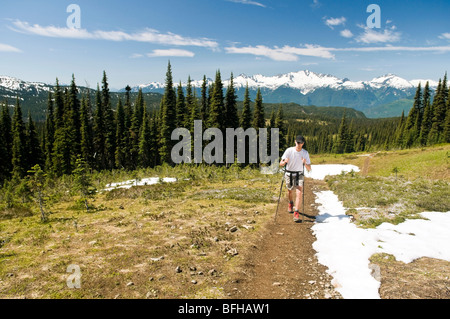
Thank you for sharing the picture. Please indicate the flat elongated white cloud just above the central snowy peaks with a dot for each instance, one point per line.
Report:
(286, 53)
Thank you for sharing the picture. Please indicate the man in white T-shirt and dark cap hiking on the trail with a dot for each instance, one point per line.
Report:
(295, 159)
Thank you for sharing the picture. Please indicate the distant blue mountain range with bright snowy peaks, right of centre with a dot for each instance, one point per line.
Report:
(383, 96)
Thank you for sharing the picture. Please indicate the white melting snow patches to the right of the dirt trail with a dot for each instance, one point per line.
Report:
(345, 249)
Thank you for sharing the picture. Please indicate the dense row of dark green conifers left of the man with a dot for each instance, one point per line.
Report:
(125, 137)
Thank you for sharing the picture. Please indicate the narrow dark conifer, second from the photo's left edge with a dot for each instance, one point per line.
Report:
(19, 156)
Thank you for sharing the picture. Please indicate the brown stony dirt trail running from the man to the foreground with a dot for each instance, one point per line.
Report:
(283, 265)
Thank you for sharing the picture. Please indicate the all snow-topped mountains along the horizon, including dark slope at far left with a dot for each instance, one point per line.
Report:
(384, 96)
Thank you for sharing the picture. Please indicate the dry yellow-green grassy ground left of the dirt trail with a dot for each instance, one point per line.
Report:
(132, 244)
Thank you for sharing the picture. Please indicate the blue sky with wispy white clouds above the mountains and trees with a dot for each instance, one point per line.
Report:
(133, 40)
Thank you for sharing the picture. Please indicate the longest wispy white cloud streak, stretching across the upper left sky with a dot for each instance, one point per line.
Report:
(147, 35)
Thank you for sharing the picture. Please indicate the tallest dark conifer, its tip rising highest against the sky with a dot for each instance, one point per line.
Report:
(168, 118)
